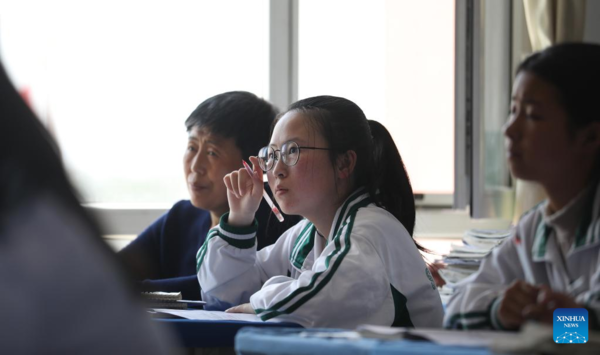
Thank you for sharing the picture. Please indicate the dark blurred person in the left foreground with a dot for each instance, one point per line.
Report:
(62, 291)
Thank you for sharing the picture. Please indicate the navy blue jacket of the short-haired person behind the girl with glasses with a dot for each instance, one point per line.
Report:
(163, 257)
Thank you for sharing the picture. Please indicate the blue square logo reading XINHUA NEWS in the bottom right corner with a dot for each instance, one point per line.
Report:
(570, 325)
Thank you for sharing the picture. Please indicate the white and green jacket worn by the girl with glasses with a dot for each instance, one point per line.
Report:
(367, 271)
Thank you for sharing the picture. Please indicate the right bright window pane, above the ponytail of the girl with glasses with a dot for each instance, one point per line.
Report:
(395, 59)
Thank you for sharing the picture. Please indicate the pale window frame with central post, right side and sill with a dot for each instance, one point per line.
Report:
(283, 90)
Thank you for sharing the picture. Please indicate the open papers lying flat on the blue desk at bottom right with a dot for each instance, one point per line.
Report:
(480, 338)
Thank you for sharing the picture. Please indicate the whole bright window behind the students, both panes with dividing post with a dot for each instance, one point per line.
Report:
(115, 80)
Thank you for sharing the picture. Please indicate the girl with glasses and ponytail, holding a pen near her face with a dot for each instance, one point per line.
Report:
(352, 260)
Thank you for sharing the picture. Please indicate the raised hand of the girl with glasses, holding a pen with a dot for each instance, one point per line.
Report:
(245, 189)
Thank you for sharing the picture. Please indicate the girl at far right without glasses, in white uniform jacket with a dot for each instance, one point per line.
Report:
(553, 259)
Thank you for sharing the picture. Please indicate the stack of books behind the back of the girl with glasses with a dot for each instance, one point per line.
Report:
(464, 260)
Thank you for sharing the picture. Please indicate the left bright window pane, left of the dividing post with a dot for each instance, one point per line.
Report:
(115, 81)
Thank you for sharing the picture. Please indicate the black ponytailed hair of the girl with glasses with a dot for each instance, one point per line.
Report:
(379, 167)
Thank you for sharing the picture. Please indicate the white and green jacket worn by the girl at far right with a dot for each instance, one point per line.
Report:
(560, 250)
